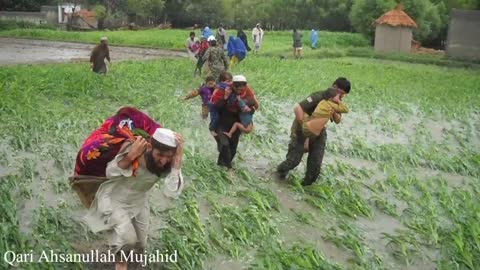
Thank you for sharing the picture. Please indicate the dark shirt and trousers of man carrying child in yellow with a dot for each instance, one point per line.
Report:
(316, 147)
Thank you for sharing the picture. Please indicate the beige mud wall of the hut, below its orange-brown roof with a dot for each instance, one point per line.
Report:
(392, 39)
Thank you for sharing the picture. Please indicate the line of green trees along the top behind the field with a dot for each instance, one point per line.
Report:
(431, 16)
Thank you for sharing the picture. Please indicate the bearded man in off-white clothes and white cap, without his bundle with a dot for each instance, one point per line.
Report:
(120, 205)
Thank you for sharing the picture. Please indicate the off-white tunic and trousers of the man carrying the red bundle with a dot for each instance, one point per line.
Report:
(121, 203)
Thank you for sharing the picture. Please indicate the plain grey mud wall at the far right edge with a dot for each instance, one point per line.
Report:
(463, 39)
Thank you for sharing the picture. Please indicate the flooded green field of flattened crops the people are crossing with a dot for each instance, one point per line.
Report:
(399, 188)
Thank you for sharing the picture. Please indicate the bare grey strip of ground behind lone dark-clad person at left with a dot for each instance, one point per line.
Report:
(28, 51)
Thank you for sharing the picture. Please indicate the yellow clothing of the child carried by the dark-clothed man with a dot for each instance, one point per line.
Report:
(313, 125)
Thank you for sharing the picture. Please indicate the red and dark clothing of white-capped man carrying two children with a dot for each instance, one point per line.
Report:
(229, 113)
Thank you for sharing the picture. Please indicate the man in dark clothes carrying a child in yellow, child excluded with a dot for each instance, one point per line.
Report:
(316, 146)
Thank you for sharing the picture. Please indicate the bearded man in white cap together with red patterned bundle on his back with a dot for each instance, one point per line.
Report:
(115, 171)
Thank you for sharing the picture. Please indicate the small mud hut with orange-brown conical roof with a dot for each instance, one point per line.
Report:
(393, 31)
